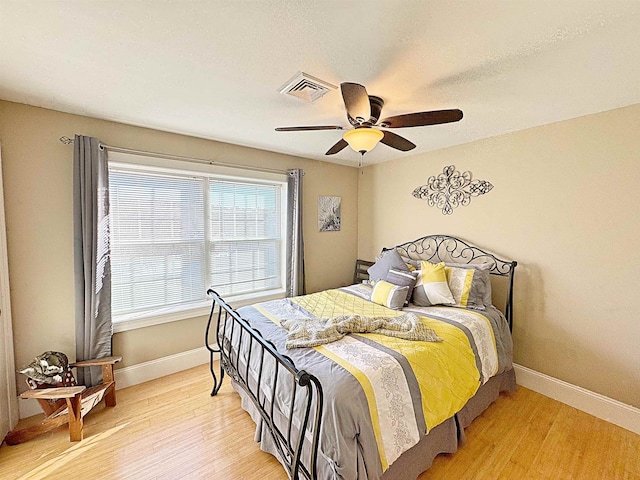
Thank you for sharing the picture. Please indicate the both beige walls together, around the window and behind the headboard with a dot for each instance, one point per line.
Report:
(564, 195)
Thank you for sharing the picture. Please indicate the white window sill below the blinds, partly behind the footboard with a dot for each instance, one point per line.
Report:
(149, 320)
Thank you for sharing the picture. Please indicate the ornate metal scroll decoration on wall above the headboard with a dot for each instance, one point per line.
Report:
(451, 189)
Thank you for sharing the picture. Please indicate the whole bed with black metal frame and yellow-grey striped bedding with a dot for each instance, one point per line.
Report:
(377, 405)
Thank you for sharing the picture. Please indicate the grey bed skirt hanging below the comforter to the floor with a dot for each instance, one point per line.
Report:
(443, 438)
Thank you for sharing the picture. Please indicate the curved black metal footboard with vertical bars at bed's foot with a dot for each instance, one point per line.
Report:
(288, 400)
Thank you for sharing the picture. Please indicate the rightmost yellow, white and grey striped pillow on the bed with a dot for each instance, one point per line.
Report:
(468, 285)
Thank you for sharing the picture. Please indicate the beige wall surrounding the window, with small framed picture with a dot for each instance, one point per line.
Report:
(37, 172)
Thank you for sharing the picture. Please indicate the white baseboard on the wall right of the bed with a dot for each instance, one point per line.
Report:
(606, 408)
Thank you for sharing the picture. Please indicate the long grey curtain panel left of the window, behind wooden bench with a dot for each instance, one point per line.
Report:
(91, 255)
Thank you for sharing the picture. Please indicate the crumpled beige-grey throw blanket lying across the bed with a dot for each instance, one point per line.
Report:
(310, 332)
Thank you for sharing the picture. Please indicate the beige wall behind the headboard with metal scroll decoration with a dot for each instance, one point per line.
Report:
(566, 206)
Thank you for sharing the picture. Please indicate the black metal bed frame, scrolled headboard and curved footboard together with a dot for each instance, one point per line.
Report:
(296, 433)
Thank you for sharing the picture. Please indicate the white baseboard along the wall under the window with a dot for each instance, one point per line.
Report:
(142, 372)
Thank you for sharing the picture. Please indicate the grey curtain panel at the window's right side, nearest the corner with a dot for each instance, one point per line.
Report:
(295, 242)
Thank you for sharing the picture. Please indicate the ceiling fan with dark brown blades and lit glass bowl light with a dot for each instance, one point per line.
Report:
(363, 113)
